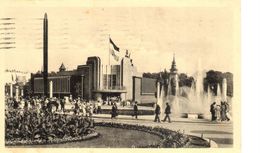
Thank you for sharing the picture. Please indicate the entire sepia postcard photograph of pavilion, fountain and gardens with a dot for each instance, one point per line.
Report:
(120, 77)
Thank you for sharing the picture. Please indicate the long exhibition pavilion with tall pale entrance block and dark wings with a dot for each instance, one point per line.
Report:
(94, 81)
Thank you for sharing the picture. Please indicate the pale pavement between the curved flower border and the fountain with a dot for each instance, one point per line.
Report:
(219, 132)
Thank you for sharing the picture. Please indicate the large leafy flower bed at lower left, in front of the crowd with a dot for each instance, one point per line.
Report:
(27, 127)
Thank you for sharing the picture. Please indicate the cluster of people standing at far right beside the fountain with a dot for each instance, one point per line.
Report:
(220, 112)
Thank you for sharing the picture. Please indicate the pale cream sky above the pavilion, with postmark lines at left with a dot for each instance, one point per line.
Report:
(151, 34)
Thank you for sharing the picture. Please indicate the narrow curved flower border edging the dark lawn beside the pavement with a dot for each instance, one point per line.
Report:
(170, 139)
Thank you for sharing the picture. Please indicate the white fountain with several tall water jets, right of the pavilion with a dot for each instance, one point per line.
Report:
(196, 102)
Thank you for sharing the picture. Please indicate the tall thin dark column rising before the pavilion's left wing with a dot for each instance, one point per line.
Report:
(45, 55)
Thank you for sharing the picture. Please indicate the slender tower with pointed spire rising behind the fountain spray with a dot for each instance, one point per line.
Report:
(173, 79)
